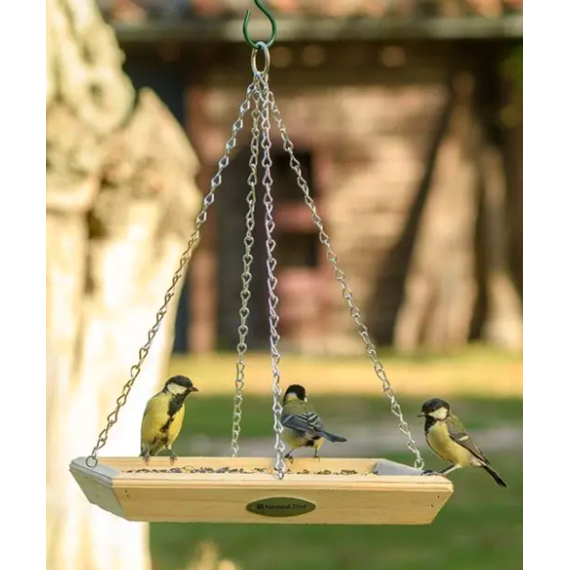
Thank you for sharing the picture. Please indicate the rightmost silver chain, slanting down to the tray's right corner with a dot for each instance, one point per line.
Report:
(347, 293)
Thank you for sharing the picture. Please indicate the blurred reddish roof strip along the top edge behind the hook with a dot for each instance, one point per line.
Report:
(204, 17)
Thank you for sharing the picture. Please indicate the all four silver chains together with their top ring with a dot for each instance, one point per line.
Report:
(264, 98)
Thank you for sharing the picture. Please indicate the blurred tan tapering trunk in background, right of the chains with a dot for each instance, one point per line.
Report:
(441, 287)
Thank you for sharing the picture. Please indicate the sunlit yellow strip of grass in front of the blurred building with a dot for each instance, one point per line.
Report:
(471, 372)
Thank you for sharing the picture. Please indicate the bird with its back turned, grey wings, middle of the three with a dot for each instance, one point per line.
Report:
(302, 425)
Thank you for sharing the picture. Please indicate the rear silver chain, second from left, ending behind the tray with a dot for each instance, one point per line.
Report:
(246, 278)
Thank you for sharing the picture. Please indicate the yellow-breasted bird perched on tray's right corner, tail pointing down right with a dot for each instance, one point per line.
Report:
(448, 438)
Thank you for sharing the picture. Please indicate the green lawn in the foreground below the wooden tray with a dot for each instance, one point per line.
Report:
(480, 529)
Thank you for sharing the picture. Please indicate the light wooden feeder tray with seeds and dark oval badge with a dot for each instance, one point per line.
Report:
(245, 490)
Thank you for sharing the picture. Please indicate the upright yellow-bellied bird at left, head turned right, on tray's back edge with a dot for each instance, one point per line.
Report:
(163, 417)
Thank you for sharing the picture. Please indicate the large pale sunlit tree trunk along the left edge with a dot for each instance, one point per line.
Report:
(120, 203)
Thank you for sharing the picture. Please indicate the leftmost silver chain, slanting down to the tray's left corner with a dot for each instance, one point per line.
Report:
(112, 418)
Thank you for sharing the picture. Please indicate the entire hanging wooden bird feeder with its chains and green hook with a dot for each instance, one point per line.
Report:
(258, 490)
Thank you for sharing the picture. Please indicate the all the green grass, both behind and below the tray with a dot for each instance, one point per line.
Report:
(480, 528)
